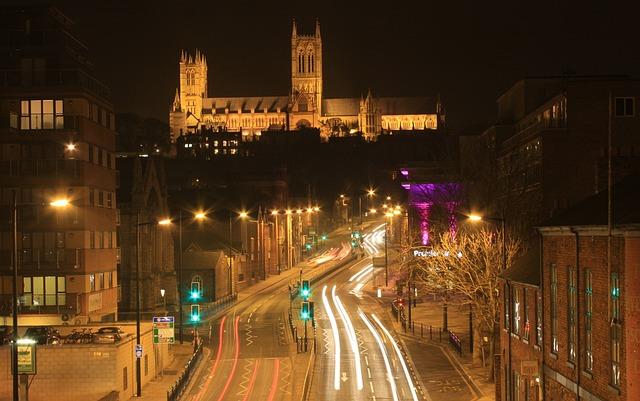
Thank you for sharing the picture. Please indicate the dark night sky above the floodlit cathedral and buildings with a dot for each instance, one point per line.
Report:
(468, 51)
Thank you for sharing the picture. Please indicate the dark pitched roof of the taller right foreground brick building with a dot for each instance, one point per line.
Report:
(593, 211)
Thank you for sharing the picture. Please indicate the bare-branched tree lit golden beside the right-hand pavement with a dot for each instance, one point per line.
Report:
(469, 264)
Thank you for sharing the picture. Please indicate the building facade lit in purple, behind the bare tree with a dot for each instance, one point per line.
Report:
(424, 197)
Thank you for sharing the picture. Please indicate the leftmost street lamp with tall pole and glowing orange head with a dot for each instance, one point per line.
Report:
(57, 203)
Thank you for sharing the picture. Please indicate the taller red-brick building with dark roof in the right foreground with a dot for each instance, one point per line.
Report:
(591, 342)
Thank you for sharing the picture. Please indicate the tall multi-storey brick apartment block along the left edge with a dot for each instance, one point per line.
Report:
(57, 140)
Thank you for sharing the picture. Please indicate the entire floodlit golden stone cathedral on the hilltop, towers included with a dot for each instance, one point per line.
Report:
(304, 106)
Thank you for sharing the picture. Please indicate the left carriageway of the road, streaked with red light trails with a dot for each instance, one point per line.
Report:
(252, 351)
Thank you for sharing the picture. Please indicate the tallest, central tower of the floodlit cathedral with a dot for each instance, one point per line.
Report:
(306, 77)
